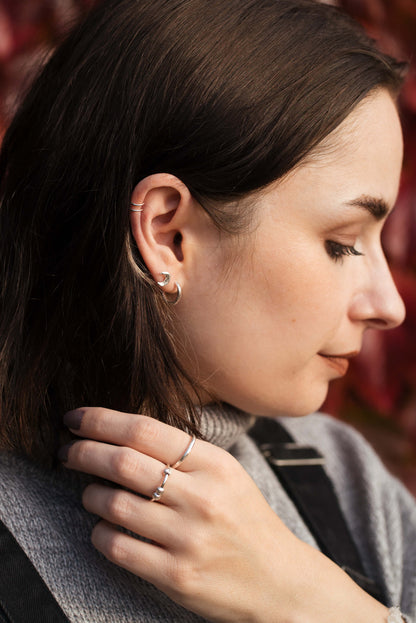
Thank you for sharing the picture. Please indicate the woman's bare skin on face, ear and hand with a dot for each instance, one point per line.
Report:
(257, 334)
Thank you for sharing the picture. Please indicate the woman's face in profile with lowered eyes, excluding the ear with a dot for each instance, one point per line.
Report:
(271, 329)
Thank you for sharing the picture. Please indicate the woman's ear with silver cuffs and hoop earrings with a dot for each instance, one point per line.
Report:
(166, 226)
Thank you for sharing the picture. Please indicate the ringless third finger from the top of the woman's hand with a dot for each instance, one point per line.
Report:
(123, 508)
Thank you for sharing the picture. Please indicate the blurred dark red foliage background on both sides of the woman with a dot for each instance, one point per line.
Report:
(379, 394)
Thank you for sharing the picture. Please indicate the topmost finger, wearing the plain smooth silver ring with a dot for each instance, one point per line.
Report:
(142, 433)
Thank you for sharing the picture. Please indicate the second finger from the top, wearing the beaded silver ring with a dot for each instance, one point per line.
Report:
(127, 467)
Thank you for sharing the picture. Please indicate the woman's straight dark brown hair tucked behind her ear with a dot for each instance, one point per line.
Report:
(228, 95)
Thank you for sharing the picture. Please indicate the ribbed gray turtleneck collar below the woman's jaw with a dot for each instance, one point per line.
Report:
(222, 424)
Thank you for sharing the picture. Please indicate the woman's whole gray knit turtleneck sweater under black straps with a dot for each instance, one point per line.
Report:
(44, 512)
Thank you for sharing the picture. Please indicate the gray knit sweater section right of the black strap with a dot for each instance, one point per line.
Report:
(380, 512)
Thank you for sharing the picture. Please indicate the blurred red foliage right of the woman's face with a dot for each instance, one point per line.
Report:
(379, 393)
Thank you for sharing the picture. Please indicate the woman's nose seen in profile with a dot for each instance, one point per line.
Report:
(378, 303)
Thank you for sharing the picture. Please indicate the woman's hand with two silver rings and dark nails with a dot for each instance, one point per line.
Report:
(217, 548)
